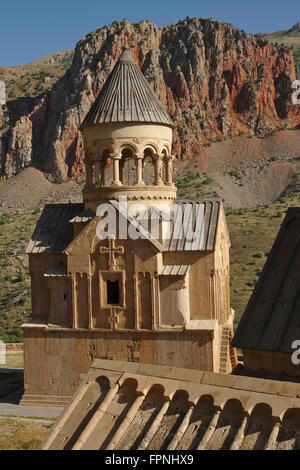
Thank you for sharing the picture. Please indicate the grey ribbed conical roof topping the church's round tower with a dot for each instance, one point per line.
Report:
(126, 97)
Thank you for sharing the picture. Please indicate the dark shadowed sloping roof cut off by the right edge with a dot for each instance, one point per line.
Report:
(271, 321)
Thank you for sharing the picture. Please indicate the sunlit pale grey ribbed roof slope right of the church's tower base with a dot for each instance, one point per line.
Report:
(195, 226)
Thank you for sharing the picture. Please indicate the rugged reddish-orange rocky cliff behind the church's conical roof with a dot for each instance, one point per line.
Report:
(214, 80)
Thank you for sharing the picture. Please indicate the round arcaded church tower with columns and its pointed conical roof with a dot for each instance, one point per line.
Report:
(127, 138)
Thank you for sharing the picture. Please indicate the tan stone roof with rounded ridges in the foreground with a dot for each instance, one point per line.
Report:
(122, 406)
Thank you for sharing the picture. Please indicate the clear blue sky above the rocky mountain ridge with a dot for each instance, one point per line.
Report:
(31, 29)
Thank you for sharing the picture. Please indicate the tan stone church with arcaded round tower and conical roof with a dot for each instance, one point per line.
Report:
(158, 298)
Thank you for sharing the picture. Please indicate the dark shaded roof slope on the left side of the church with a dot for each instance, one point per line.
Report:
(54, 232)
